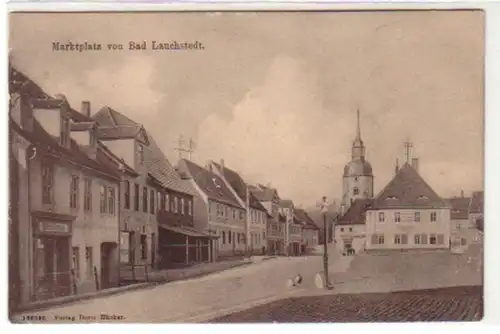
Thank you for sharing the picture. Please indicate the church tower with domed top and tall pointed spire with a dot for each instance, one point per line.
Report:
(358, 175)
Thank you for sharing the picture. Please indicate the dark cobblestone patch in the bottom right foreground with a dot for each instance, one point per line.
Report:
(447, 304)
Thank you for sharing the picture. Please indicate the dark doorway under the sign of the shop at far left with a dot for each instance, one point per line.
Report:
(52, 267)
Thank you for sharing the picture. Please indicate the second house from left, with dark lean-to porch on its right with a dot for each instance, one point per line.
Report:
(156, 224)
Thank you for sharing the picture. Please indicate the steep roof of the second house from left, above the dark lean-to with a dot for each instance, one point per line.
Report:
(114, 125)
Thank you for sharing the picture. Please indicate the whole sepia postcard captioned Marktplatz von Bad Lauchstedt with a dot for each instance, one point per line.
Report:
(239, 166)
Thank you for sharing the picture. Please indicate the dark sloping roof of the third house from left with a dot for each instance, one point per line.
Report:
(213, 186)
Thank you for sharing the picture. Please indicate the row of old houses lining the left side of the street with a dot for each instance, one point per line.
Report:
(92, 192)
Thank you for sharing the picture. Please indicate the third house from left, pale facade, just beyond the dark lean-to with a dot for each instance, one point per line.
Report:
(218, 211)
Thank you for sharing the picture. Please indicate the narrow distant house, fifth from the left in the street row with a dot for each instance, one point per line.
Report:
(276, 221)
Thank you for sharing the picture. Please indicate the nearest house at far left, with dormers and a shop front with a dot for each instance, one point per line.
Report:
(66, 220)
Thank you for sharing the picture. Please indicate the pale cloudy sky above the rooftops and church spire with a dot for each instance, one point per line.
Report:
(275, 94)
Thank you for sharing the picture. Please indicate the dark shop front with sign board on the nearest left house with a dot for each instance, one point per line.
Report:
(51, 260)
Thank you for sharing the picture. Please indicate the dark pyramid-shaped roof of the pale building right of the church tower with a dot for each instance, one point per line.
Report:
(408, 190)
